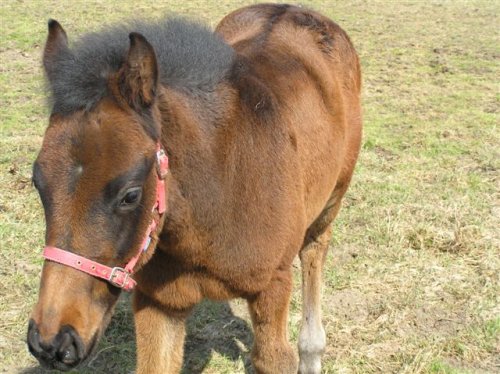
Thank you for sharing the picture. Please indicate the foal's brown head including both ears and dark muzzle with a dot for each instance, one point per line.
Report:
(98, 181)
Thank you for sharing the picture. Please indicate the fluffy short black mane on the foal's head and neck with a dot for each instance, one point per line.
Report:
(190, 56)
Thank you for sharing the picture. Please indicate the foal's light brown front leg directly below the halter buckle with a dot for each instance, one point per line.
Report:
(160, 337)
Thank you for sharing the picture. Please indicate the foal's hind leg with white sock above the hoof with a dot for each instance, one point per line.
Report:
(312, 337)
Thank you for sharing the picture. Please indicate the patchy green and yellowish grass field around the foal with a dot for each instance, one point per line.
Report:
(412, 280)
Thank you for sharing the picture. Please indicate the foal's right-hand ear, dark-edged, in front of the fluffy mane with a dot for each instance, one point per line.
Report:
(139, 75)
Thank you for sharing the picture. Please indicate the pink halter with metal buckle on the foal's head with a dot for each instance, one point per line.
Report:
(118, 276)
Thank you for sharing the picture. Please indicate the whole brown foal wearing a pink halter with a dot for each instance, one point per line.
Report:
(261, 122)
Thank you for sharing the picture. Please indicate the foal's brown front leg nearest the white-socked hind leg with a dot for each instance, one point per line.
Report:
(272, 353)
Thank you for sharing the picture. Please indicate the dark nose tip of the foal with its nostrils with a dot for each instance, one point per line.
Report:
(63, 352)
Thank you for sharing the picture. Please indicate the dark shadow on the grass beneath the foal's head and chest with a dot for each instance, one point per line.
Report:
(211, 328)
